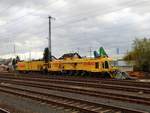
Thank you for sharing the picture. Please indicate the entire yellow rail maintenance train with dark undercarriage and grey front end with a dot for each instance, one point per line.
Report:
(73, 64)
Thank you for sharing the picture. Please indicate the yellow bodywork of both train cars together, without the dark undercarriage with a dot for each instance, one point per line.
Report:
(68, 64)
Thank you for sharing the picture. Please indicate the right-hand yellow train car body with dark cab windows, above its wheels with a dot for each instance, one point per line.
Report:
(87, 64)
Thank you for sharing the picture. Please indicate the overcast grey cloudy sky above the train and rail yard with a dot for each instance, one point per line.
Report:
(79, 24)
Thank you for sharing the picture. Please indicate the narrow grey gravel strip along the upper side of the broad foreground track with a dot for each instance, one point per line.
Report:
(89, 98)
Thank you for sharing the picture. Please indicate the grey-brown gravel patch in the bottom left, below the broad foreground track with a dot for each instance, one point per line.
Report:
(24, 105)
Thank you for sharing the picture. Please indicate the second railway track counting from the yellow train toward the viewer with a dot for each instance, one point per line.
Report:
(134, 88)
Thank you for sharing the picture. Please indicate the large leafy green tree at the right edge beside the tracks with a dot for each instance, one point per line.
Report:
(140, 54)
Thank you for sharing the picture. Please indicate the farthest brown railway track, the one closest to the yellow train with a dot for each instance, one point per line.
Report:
(81, 79)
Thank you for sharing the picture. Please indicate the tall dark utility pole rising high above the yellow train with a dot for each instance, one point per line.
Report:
(49, 42)
